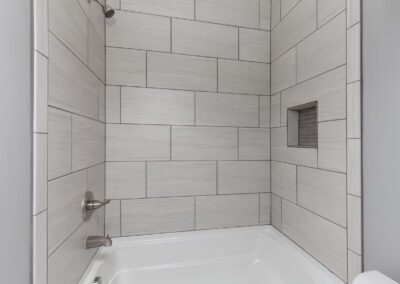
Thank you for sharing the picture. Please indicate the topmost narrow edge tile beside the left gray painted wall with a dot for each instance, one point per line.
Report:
(41, 26)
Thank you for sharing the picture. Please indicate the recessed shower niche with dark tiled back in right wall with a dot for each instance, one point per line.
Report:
(303, 126)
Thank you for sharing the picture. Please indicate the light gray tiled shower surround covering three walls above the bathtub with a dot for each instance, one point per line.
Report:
(189, 132)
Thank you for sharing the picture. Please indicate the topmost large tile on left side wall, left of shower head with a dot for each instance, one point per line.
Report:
(68, 22)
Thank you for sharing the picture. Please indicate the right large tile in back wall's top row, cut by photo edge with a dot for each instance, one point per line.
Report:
(231, 12)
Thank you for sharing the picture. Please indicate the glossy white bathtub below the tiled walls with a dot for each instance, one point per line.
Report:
(256, 255)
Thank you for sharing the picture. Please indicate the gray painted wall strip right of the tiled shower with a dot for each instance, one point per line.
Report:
(381, 59)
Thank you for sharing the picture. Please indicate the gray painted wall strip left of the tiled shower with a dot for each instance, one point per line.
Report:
(15, 142)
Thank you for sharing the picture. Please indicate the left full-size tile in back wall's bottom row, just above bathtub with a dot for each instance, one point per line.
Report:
(157, 215)
